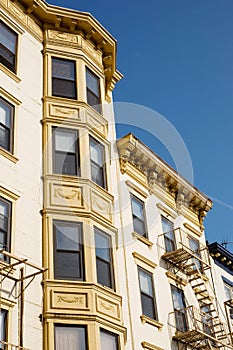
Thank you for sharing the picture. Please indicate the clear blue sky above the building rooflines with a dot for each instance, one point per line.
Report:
(177, 58)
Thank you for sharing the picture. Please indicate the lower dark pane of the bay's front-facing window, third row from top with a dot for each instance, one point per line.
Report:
(68, 265)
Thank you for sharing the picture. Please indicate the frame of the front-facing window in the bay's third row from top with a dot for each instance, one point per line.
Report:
(80, 252)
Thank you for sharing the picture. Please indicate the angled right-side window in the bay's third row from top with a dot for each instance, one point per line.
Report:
(104, 266)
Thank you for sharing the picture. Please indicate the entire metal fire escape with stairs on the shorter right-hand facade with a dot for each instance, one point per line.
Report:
(195, 328)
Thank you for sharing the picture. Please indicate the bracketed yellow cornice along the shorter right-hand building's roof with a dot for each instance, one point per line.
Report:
(160, 174)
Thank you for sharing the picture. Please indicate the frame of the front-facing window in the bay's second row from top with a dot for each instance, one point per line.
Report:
(76, 153)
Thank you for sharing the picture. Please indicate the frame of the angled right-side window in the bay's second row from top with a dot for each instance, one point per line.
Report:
(102, 167)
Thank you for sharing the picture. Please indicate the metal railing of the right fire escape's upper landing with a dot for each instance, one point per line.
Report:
(179, 241)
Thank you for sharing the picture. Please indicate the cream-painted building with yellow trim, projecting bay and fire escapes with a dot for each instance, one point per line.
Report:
(98, 251)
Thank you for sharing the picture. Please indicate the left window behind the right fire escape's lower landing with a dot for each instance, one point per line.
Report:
(180, 309)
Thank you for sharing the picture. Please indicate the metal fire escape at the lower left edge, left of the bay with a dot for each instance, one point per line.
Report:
(16, 275)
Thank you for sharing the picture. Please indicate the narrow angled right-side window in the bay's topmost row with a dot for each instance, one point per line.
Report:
(93, 90)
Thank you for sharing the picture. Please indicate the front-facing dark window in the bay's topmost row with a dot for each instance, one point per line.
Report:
(63, 78)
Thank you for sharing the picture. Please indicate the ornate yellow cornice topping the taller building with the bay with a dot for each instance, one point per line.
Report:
(71, 21)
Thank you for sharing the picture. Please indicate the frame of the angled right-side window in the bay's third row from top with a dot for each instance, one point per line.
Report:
(110, 262)
